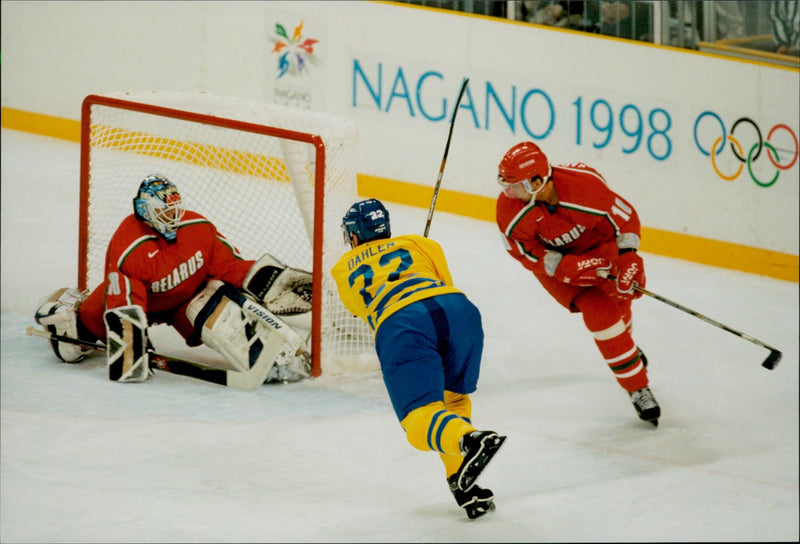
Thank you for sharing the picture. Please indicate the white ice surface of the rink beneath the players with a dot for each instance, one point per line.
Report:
(178, 460)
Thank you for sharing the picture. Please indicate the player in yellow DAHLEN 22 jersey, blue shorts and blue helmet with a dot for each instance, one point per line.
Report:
(429, 341)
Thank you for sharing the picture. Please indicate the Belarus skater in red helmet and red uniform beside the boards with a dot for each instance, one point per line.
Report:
(564, 224)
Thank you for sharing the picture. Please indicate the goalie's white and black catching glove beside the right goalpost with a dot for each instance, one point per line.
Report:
(283, 290)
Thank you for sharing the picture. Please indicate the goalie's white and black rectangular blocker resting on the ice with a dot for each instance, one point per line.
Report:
(126, 348)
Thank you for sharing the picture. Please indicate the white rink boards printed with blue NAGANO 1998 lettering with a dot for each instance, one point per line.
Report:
(396, 71)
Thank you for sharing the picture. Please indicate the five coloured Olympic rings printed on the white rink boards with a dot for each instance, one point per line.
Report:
(754, 152)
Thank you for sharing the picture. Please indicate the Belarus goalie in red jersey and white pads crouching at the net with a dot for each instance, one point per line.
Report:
(165, 264)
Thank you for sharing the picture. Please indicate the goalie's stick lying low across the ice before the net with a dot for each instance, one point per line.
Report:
(168, 363)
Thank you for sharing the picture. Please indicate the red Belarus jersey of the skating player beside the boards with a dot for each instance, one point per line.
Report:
(589, 219)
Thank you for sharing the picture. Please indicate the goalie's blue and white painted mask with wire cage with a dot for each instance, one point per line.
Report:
(158, 203)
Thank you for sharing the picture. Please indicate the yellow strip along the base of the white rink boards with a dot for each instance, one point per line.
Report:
(774, 264)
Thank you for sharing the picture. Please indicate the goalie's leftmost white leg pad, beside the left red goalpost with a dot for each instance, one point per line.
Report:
(58, 314)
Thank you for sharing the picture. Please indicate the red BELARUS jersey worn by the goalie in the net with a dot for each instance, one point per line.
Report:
(145, 269)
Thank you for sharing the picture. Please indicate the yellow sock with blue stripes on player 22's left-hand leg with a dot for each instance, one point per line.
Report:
(434, 428)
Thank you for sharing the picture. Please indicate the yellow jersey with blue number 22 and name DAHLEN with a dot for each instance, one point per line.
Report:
(379, 277)
